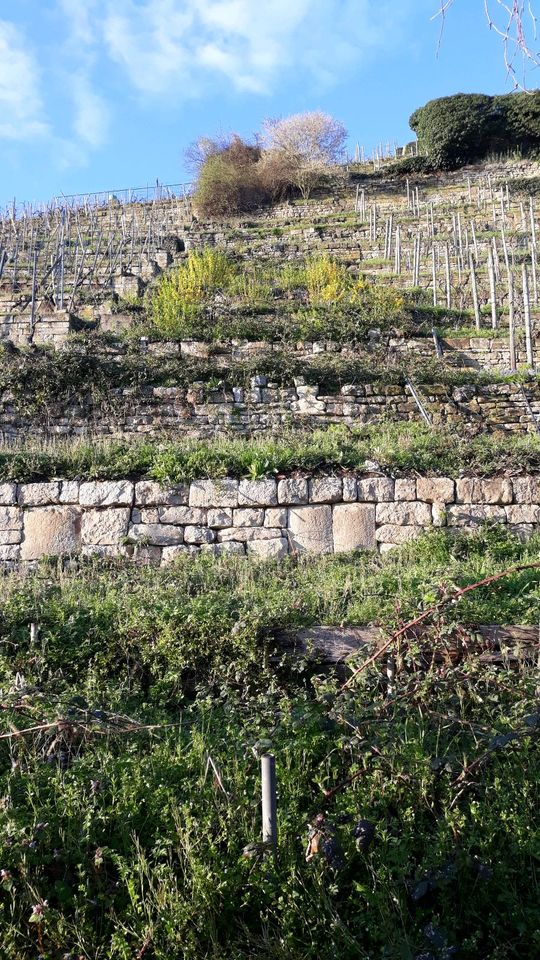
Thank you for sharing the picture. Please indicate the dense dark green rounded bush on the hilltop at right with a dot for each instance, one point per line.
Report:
(466, 128)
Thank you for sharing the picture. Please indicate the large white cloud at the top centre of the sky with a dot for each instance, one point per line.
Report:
(183, 47)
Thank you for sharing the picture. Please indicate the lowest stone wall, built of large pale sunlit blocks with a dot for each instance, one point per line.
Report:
(265, 518)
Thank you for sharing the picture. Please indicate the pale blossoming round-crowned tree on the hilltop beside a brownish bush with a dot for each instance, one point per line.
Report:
(306, 144)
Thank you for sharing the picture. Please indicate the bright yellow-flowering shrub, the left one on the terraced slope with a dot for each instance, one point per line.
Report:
(181, 293)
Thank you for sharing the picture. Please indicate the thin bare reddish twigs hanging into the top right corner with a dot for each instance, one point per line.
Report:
(515, 22)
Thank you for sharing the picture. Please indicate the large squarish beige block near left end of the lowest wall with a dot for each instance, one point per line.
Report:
(51, 531)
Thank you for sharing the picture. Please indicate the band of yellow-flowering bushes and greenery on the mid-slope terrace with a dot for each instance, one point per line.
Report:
(210, 297)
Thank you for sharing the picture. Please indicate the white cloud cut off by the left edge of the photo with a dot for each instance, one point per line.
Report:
(21, 108)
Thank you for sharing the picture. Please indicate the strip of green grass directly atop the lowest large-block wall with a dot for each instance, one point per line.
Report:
(399, 448)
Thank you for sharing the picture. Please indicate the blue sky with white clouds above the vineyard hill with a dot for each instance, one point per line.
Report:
(104, 94)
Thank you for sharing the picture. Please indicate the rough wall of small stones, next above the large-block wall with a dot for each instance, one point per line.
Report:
(200, 411)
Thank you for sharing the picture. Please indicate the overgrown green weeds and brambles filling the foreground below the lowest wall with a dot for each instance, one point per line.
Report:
(131, 814)
